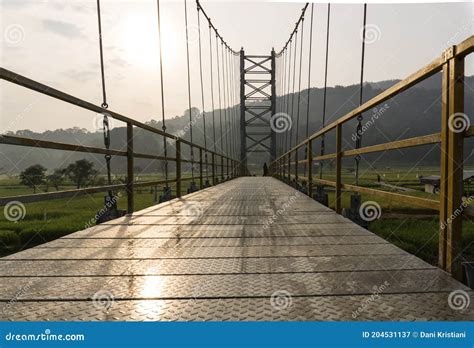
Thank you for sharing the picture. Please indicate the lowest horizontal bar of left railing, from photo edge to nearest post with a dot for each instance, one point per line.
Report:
(38, 197)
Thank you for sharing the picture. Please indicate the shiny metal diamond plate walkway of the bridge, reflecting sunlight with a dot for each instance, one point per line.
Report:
(248, 249)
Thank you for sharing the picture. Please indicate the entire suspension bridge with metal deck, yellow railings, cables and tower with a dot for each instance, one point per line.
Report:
(239, 247)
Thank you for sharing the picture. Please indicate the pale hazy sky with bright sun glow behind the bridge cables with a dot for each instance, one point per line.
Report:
(56, 43)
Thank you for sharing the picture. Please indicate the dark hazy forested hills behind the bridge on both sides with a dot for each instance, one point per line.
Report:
(415, 112)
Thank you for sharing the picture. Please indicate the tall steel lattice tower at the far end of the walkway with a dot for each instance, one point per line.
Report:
(258, 105)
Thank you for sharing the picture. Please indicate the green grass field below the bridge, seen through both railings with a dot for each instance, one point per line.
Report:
(413, 229)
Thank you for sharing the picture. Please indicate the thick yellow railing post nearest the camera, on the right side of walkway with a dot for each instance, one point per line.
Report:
(451, 185)
